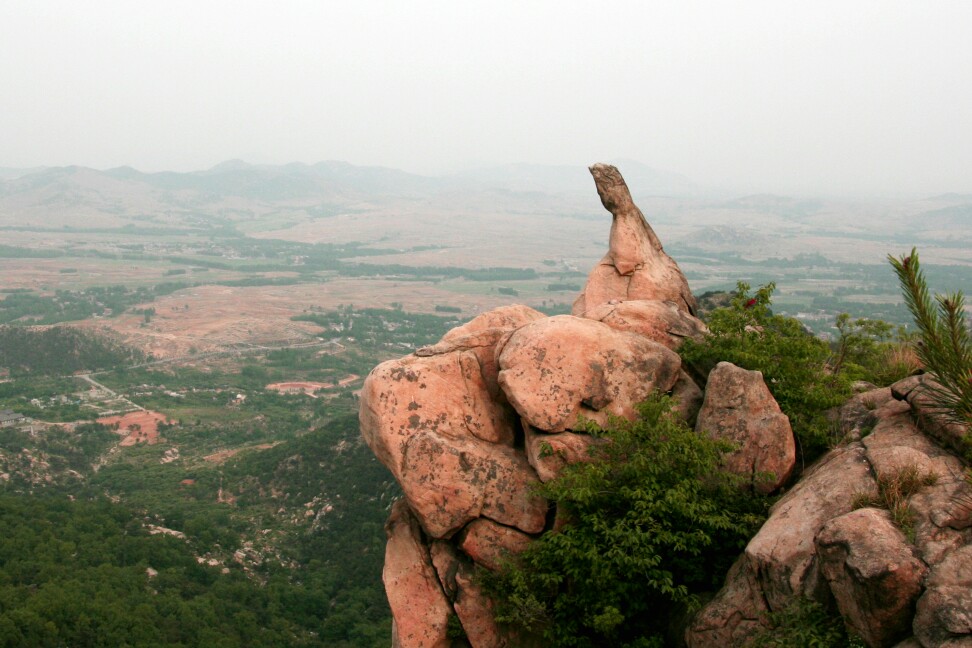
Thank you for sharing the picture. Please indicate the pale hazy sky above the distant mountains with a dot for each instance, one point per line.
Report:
(830, 96)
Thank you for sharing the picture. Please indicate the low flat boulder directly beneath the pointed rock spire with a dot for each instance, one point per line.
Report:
(663, 322)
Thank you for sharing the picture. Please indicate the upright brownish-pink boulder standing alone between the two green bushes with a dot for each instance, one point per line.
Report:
(738, 407)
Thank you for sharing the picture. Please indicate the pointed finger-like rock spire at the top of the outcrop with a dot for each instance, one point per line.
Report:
(636, 266)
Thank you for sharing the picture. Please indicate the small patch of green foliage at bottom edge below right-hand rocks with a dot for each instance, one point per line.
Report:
(804, 624)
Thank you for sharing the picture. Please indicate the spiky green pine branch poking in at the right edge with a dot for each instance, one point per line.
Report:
(945, 347)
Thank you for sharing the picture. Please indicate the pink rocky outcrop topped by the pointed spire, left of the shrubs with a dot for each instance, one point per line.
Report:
(469, 425)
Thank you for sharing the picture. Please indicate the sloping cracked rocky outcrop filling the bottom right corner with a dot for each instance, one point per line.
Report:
(887, 583)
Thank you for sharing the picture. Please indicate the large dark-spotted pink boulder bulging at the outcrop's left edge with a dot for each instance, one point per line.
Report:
(432, 423)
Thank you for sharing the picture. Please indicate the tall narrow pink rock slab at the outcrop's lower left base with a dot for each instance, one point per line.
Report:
(420, 609)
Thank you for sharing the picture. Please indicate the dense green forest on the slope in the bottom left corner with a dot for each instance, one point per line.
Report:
(75, 573)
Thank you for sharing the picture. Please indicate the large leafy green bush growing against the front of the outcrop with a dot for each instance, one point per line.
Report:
(652, 522)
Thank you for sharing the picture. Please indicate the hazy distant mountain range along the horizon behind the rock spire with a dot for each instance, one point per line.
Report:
(254, 198)
